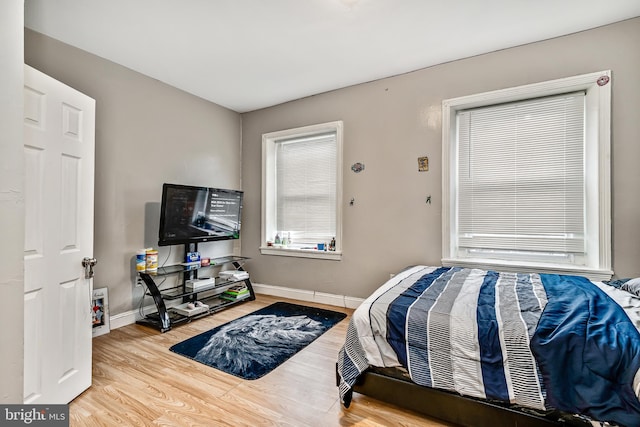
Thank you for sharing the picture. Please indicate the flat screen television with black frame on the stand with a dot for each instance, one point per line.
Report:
(198, 214)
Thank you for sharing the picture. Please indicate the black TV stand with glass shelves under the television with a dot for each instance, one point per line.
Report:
(165, 318)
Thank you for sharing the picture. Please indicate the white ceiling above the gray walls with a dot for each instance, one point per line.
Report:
(250, 54)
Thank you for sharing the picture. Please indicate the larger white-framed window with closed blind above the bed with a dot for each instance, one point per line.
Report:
(527, 178)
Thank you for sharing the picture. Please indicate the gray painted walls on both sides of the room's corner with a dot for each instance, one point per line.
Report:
(149, 133)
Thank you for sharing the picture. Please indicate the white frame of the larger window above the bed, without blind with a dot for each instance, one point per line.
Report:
(597, 185)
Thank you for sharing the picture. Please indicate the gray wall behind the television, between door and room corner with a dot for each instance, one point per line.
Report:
(147, 133)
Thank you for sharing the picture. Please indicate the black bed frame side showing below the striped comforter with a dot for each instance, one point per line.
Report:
(453, 408)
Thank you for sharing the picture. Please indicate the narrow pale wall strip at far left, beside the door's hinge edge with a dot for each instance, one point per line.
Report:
(11, 202)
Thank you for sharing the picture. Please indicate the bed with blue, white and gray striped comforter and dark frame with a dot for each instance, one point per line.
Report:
(471, 346)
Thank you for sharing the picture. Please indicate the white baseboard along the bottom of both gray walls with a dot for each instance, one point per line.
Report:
(130, 317)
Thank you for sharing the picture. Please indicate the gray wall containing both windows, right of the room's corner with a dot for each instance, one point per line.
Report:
(389, 123)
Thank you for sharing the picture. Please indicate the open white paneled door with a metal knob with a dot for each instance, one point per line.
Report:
(59, 127)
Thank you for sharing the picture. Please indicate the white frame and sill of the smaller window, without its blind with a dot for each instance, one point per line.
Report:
(268, 205)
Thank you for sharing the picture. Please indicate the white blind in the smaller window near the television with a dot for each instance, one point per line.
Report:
(306, 187)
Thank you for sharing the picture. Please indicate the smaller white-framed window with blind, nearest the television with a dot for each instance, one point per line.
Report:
(302, 190)
